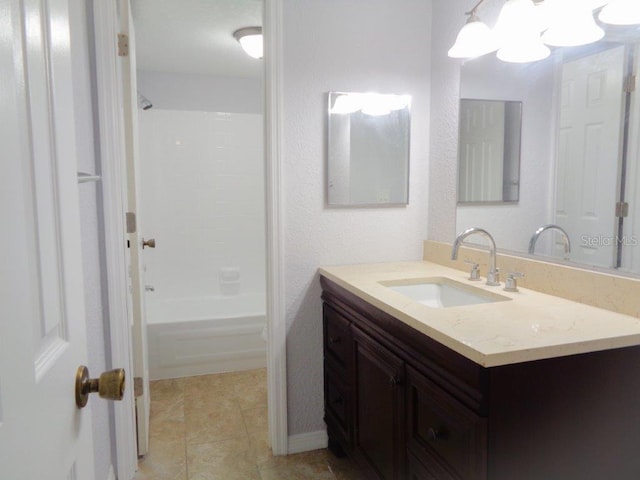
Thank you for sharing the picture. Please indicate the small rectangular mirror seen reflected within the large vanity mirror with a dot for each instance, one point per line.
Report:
(489, 151)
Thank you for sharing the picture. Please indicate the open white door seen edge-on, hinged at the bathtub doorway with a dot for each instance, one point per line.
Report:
(136, 251)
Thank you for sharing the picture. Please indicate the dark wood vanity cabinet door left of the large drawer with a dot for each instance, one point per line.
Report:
(379, 375)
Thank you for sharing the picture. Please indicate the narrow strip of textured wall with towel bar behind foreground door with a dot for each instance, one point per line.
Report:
(97, 333)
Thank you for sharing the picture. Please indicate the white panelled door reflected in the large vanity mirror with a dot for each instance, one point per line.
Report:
(588, 154)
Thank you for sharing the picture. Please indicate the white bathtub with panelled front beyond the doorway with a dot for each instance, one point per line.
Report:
(200, 336)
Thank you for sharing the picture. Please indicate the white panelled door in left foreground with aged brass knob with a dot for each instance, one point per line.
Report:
(43, 435)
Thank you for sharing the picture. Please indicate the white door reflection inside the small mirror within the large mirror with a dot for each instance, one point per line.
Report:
(481, 151)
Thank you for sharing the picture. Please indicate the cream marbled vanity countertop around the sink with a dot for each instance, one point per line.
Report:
(531, 326)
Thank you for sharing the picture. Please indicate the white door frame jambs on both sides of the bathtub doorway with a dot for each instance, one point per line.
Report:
(111, 132)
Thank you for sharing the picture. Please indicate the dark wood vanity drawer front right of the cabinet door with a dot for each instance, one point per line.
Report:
(443, 432)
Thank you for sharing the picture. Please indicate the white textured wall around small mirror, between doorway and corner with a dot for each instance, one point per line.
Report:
(348, 46)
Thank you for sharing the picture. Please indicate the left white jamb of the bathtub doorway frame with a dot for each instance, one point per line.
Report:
(109, 102)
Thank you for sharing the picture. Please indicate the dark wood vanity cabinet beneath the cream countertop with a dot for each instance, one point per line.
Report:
(407, 407)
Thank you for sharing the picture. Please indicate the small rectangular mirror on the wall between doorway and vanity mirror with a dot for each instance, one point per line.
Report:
(368, 149)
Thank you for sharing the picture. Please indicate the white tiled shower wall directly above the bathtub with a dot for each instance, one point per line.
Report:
(202, 198)
